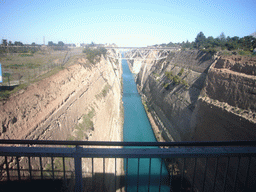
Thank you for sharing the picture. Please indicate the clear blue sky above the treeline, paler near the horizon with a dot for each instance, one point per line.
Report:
(126, 23)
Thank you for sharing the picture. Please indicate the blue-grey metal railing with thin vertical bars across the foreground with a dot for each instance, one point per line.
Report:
(186, 150)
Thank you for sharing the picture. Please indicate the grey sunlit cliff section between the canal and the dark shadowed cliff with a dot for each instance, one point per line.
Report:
(172, 97)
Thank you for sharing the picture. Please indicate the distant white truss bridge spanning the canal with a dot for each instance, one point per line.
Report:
(140, 53)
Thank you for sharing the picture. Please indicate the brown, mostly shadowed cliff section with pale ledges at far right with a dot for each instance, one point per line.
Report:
(226, 107)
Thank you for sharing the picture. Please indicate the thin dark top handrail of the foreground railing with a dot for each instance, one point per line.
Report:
(118, 143)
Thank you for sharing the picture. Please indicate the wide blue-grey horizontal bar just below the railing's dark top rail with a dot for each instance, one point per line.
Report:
(131, 152)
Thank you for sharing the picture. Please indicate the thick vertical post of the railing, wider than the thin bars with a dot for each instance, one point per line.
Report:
(78, 170)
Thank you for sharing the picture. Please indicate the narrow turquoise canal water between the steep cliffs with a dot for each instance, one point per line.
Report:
(137, 128)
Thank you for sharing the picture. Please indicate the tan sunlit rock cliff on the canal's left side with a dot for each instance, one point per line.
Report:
(81, 102)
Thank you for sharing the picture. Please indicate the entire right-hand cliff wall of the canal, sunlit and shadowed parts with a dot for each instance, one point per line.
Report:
(196, 96)
